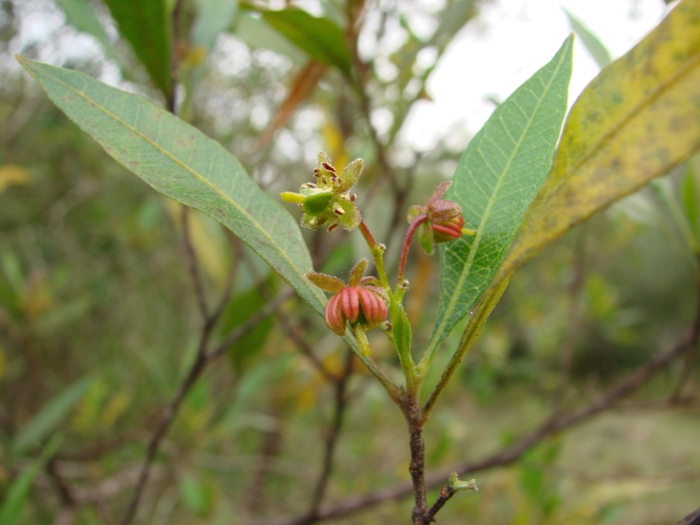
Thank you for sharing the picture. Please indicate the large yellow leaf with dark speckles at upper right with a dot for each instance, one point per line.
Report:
(635, 121)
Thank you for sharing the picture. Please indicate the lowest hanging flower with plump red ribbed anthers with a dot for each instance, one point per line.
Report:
(361, 302)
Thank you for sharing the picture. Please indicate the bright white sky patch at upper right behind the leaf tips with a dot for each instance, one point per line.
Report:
(511, 40)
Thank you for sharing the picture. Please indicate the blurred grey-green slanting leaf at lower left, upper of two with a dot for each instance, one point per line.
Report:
(51, 415)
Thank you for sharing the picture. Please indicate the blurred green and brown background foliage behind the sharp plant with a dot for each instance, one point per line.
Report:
(98, 319)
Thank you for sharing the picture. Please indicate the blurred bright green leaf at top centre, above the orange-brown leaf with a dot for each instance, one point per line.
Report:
(321, 38)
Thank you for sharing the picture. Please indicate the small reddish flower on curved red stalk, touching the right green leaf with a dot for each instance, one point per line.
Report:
(444, 220)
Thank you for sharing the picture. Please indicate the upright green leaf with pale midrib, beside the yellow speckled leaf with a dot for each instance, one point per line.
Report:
(497, 177)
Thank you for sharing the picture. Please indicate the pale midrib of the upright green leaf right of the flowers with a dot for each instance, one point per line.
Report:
(485, 216)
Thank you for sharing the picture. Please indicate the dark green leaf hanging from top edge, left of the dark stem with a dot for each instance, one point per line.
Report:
(145, 25)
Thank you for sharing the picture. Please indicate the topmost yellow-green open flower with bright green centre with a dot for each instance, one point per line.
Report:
(328, 202)
